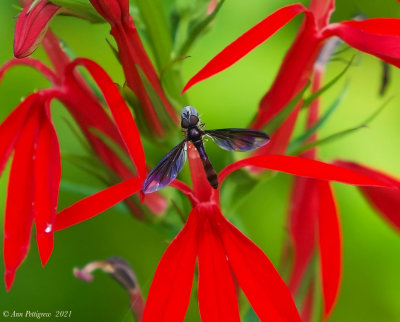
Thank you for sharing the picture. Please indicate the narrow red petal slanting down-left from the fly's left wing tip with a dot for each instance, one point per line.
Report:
(97, 203)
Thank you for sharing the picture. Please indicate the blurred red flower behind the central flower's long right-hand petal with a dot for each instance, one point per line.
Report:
(313, 216)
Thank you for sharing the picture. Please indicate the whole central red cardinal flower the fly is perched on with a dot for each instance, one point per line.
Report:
(224, 254)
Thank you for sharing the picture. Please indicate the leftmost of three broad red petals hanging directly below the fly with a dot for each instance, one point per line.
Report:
(170, 290)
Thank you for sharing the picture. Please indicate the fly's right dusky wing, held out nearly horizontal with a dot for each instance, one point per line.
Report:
(242, 140)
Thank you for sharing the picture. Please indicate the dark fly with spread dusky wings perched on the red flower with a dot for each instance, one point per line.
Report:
(167, 169)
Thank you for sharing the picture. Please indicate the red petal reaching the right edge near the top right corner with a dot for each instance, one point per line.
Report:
(379, 37)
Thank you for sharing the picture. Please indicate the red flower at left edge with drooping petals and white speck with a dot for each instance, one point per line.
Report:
(36, 168)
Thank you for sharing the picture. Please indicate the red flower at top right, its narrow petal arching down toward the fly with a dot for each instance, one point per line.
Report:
(378, 37)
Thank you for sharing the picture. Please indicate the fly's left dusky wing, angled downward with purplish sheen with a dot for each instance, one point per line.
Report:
(166, 170)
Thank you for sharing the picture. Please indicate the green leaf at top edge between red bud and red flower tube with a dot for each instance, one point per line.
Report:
(80, 9)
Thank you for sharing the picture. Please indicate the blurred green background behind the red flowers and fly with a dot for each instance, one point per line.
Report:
(371, 281)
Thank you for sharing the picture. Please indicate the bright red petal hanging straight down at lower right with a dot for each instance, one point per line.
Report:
(330, 247)
